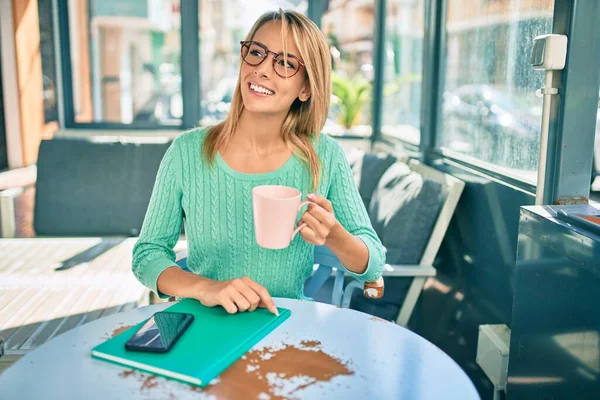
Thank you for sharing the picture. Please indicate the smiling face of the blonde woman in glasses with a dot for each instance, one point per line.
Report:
(263, 90)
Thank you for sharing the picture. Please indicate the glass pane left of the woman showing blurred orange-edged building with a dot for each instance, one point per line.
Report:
(125, 61)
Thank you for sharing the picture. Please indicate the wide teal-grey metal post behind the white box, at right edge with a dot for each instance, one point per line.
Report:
(570, 156)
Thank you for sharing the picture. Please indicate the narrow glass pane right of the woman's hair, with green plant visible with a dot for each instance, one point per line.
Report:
(348, 26)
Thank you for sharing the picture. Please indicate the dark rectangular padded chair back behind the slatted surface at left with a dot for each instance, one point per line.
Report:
(94, 188)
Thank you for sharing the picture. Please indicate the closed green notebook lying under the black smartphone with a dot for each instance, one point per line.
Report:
(213, 342)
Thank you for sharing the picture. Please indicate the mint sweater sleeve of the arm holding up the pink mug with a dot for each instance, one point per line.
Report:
(351, 213)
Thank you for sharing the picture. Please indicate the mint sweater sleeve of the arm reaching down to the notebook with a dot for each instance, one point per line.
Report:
(153, 253)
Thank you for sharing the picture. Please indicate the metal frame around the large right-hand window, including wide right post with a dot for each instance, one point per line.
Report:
(567, 173)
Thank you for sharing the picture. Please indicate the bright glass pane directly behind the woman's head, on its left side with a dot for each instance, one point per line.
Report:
(223, 24)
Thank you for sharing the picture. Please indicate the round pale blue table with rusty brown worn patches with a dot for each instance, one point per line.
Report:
(320, 352)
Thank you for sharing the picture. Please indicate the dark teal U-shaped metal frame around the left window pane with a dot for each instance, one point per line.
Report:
(190, 78)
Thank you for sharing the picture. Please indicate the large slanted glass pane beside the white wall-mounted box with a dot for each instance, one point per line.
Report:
(491, 109)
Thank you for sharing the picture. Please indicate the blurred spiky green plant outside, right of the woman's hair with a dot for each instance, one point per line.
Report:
(352, 94)
